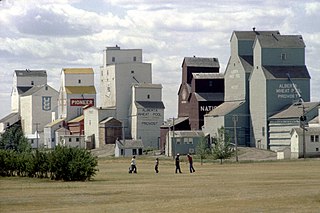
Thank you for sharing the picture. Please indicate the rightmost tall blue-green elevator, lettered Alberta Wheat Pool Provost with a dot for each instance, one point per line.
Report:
(279, 71)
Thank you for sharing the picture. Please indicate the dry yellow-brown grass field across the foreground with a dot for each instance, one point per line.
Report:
(281, 186)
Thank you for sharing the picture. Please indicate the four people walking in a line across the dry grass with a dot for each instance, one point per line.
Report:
(133, 165)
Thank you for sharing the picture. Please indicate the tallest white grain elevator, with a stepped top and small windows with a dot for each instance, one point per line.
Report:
(120, 70)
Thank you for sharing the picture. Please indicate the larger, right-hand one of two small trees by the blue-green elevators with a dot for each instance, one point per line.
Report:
(222, 148)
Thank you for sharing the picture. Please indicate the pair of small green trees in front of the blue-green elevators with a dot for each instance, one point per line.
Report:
(221, 148)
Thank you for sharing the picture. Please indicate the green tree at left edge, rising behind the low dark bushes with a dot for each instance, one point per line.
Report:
(14, 139)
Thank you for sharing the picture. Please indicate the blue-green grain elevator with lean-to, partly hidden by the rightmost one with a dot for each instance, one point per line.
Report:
(234, 113)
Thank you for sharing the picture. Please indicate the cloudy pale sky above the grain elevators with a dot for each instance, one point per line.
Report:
(56, 34)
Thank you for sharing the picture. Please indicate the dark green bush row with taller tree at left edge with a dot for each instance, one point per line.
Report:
(63, 163)
